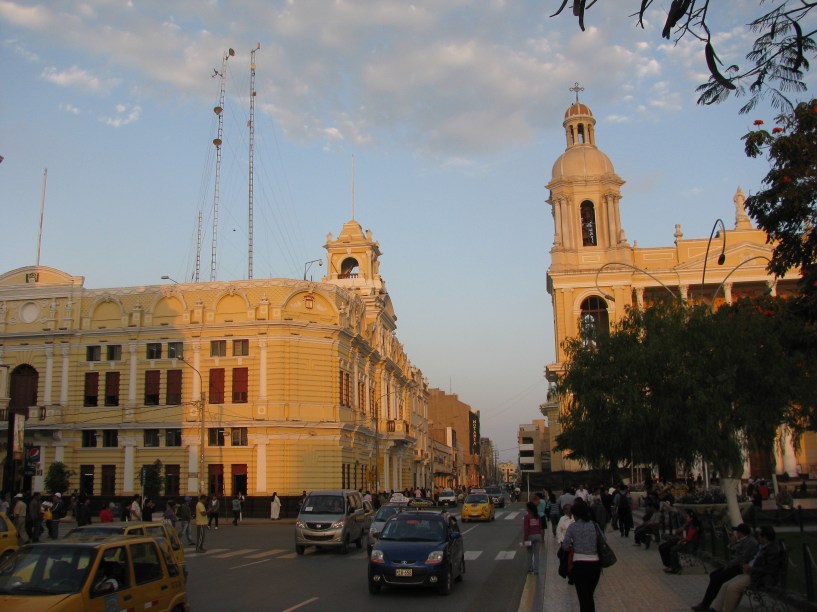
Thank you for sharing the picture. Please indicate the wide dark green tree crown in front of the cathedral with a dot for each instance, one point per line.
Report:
(675, 382)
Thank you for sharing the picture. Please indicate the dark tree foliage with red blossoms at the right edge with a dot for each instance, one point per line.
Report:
(787, 208)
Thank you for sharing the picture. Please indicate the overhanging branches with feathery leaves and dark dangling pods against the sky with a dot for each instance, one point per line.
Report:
(778, 59)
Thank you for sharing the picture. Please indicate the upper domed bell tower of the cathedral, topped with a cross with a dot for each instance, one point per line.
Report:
(584, 195)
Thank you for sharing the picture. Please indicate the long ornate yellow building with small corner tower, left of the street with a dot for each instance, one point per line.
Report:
(255, 386)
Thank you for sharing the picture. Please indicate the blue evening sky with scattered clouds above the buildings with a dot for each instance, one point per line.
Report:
(449, 111)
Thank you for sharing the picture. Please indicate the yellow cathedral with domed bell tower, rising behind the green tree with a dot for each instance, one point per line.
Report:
(595, 273)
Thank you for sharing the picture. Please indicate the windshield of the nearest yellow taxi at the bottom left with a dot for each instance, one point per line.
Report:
(46, 570)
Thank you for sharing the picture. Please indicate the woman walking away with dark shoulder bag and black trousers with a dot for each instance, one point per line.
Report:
(582, 537)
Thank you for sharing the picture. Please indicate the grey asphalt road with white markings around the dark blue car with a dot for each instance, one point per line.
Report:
(254, 567)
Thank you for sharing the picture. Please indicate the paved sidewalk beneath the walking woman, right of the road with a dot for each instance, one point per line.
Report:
(636, 582)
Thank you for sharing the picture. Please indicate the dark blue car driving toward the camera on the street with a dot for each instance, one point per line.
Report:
(418, 548)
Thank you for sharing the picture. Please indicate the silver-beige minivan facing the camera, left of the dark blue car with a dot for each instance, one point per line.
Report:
(331, 519)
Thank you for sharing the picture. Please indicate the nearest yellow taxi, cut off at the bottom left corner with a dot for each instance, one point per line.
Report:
(94, 575)
